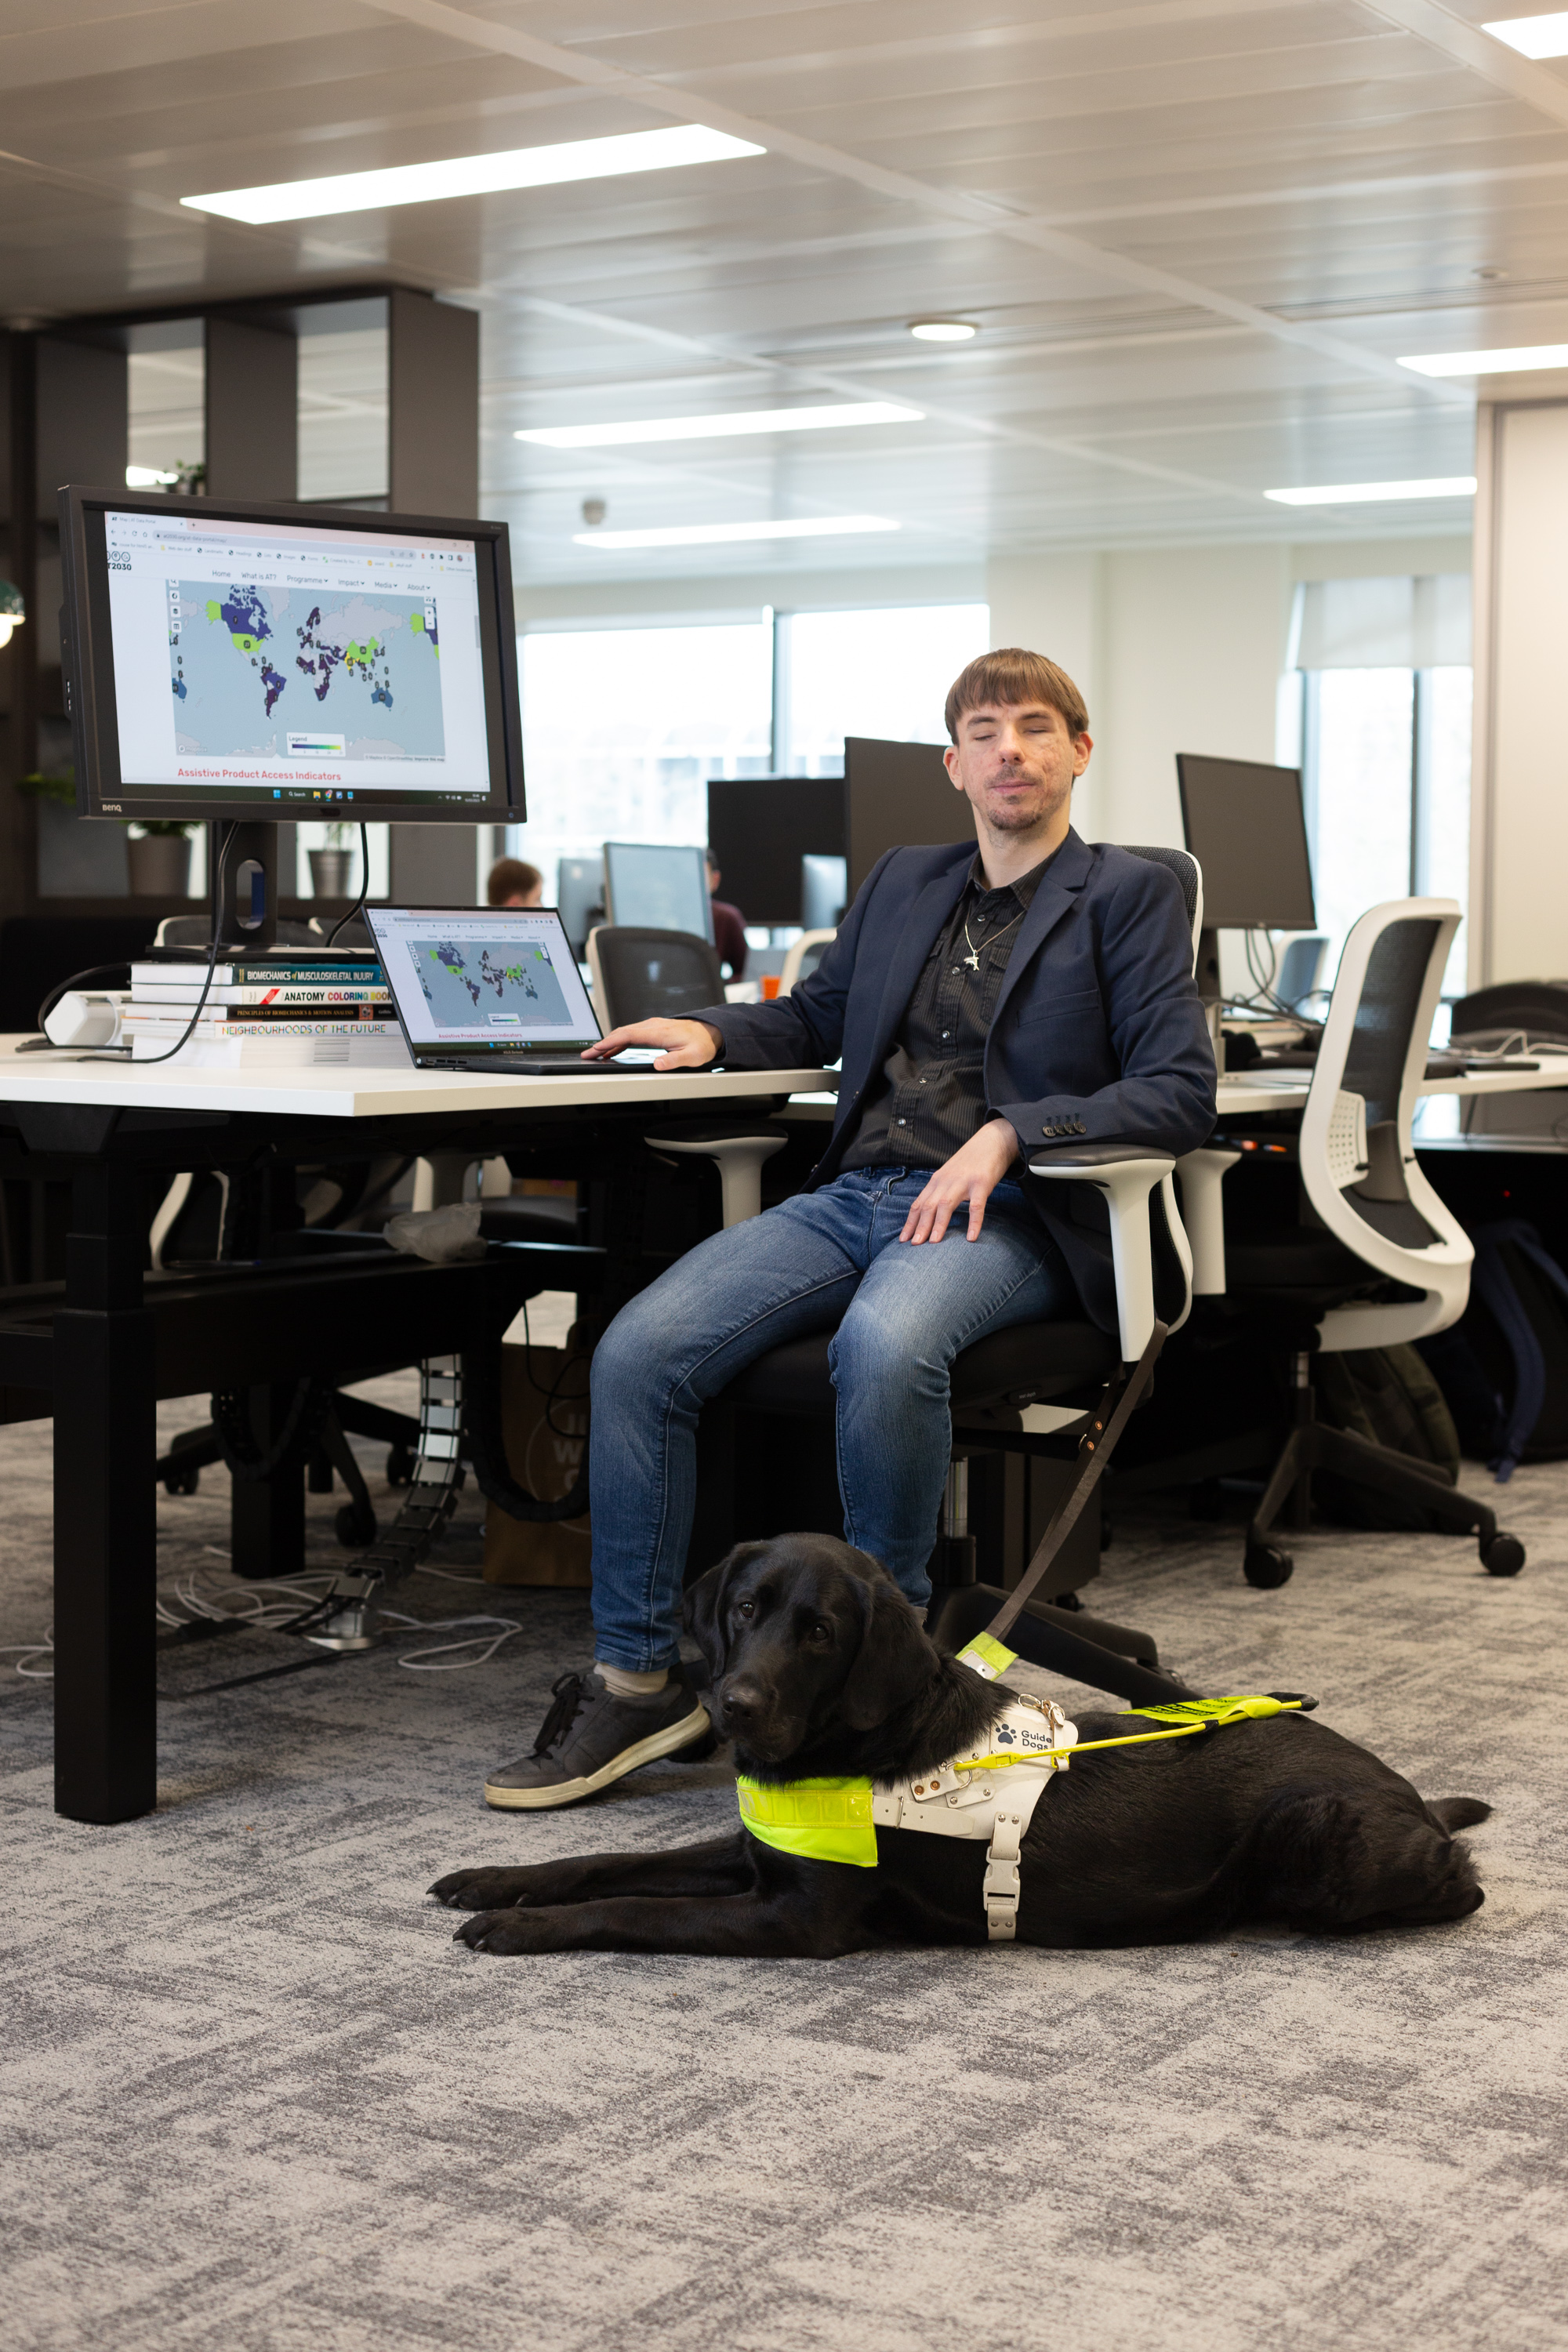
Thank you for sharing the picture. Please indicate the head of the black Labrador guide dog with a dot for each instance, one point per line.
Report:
(805, 1636)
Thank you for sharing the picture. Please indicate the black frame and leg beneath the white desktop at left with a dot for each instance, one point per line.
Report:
(114, 1339)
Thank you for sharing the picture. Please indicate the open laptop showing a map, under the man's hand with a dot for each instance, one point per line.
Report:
(490, 989)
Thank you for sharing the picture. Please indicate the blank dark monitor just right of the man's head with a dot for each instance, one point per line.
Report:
(1247, 829)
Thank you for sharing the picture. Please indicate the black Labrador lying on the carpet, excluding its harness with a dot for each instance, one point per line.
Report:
(822, 1669)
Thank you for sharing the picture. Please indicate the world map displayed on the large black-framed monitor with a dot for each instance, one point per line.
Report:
(300, 671)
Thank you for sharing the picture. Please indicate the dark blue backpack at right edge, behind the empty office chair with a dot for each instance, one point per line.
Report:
(1506, 1363)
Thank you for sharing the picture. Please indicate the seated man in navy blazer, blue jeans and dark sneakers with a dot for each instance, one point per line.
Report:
(984, 1001)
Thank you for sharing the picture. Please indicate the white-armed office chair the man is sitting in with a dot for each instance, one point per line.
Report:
(1010, 1394)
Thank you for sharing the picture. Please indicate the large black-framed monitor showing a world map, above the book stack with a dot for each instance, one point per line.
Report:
(279, 662)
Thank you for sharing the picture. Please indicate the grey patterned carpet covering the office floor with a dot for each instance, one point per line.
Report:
(257, 2099)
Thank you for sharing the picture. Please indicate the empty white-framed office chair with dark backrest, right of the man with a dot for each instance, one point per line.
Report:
(1374, 1255)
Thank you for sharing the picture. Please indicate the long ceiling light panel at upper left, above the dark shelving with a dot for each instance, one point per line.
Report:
(476, 175)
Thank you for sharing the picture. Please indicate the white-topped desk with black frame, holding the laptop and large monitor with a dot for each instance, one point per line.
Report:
(105, 1351)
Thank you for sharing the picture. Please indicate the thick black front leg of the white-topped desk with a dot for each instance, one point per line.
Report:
(105, 1511)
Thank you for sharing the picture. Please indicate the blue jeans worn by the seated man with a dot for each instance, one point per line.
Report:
(810, 1264)
